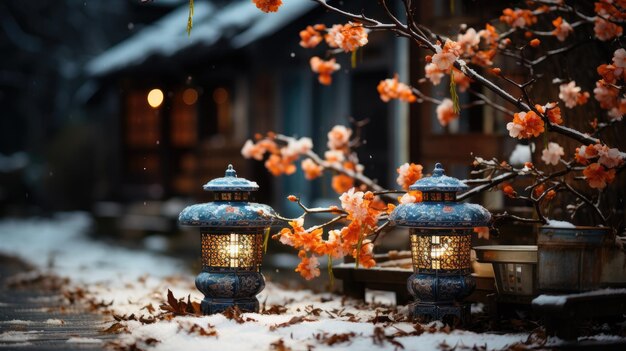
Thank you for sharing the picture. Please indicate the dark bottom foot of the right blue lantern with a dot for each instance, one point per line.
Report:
(457, 314)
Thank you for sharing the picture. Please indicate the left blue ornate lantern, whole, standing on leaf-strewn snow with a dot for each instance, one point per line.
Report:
(232, 230)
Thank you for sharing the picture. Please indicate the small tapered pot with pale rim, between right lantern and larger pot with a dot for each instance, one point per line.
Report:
(514, 267)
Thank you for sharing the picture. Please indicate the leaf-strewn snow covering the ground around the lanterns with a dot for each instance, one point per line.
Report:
(129, 282)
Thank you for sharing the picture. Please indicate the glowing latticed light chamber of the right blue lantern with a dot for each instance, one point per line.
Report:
(445, 250)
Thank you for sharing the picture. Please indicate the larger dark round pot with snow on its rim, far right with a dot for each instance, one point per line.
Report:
(570, 259)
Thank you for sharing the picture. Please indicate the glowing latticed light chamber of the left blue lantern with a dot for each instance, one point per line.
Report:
(238, 251)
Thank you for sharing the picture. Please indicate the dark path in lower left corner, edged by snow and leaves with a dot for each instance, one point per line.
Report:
(34, 314)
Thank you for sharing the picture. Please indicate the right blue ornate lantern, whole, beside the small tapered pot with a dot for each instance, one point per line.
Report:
(441, 231)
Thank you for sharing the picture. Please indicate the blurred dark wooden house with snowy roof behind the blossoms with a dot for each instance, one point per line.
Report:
(241, 72)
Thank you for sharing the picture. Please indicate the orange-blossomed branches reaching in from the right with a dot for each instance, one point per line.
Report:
(466, 61)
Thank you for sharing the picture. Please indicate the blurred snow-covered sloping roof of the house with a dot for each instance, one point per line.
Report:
(239, 22)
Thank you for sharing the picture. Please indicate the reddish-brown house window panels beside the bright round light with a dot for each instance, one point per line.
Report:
(160, 137)
